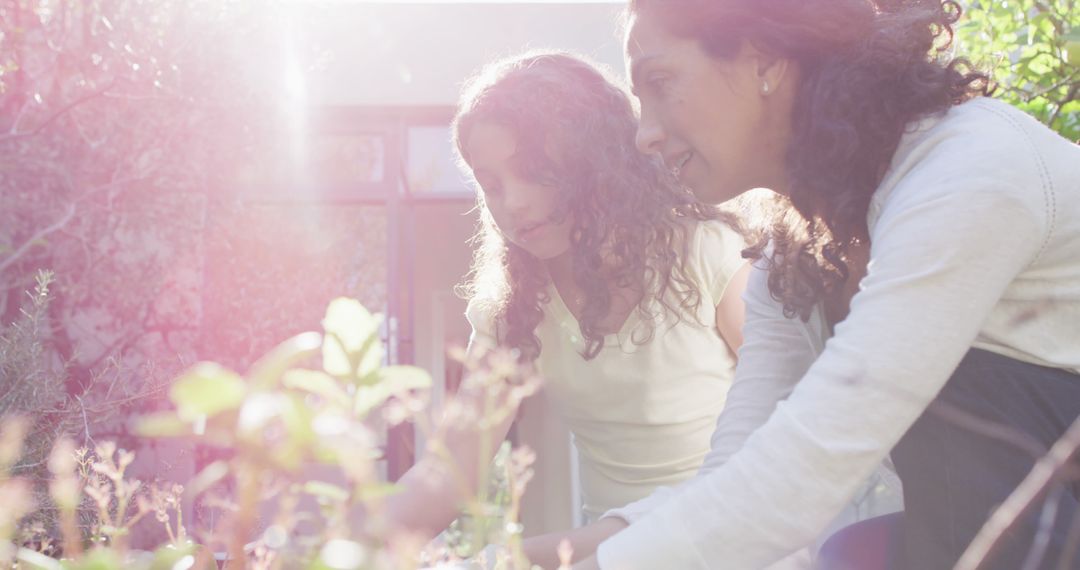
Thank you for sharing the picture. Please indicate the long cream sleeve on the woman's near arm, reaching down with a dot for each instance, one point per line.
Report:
(956, 232)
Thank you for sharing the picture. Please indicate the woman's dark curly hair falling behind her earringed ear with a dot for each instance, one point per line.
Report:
(868, 69)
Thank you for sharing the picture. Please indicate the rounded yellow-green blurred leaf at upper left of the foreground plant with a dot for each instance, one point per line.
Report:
(206, 390)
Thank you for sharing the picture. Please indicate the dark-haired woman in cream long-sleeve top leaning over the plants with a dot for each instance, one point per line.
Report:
(937, 247)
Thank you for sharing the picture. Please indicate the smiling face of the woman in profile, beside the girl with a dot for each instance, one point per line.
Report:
(710, 119)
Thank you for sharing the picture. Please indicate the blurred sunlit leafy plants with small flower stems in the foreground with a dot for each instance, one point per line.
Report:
(316, 400)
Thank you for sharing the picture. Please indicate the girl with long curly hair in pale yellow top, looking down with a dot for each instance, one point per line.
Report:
(596, 265)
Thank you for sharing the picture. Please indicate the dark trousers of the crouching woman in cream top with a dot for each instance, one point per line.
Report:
(956, 472)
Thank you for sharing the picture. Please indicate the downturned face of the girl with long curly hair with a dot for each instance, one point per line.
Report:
(525, 209)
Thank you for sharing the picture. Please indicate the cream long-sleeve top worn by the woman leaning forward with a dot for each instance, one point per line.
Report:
(976, 242)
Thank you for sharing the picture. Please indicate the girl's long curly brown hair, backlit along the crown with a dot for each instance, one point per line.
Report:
(629, 215)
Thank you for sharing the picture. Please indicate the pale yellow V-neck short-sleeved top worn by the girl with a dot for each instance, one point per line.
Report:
(642, 415)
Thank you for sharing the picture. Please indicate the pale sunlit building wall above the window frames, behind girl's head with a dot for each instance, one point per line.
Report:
(418, 53)
